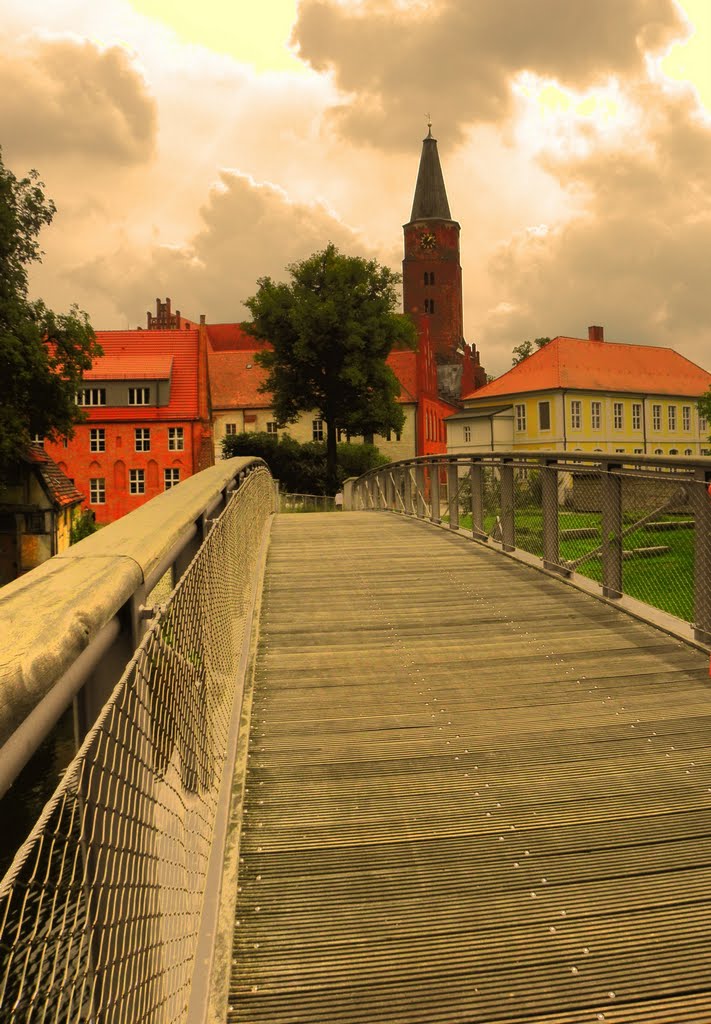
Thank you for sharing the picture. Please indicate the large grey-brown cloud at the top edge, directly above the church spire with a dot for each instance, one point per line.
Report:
(457, 58)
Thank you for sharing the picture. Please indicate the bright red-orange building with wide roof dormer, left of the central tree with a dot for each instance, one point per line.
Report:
(149, 420)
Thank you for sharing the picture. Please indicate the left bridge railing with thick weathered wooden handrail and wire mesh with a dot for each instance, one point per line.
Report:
(103, 911)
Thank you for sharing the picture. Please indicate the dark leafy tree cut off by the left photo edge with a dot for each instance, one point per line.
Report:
(43, 354)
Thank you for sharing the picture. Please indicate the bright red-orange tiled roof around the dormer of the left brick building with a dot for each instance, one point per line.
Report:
(127, 352)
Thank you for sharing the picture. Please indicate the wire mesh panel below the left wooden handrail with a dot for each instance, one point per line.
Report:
(100, 912)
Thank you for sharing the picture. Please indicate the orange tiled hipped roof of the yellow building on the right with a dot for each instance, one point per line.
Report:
(601, 366)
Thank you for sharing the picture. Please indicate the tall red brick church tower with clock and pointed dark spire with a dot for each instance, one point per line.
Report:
(433, 277)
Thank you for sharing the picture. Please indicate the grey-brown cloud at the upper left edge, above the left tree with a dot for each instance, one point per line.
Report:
(67, 98)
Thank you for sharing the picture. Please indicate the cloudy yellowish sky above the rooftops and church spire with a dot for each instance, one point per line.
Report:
(192, 149)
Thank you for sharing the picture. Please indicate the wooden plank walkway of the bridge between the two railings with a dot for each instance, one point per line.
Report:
(475, 795)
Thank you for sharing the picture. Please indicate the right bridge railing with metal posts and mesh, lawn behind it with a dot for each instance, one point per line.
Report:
(636, 530)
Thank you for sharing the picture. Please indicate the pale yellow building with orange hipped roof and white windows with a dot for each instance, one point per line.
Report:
(589, 396)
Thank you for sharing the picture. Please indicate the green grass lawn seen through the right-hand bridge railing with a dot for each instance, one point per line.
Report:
(664, 581)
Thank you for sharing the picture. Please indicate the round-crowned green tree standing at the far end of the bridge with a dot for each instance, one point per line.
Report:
(332, 328)
